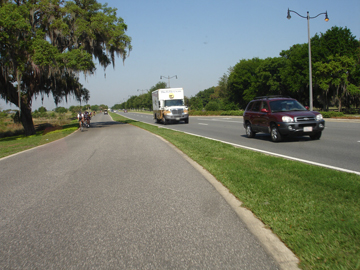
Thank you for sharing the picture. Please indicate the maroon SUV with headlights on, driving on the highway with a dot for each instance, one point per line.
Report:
(281, 116)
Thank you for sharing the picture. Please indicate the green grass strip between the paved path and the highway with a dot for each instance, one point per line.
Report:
(314, 210)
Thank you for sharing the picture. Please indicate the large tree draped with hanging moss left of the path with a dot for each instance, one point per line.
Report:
(46, 44)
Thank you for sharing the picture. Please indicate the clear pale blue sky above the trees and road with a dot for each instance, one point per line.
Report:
(198, 40)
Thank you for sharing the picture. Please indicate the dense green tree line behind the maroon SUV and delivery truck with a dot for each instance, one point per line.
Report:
(335, 68)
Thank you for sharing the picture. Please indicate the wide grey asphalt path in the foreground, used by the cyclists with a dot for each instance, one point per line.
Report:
(117, 197)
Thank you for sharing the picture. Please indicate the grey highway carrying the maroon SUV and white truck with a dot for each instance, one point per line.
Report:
(339, 146)
